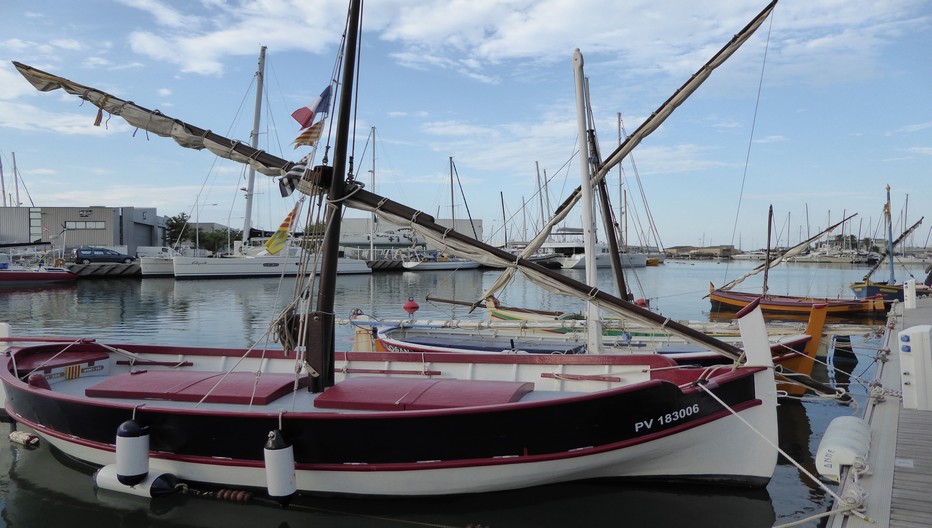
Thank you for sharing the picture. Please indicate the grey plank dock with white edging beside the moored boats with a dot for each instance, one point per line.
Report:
(895, 487)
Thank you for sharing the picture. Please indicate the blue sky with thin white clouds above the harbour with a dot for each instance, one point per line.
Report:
(823, 107)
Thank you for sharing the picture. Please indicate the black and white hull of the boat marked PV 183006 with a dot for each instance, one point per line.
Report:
(641, 430)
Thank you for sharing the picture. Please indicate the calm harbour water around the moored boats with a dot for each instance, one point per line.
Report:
(36, 489)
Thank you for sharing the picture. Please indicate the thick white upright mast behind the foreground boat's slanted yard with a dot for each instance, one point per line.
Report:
(593, 320)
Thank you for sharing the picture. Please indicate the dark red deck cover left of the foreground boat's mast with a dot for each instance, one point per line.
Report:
(192, 386)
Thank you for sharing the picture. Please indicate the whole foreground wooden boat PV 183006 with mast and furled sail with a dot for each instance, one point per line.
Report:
(303, 418)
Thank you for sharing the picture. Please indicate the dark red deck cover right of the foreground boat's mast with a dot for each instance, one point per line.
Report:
(408, 394)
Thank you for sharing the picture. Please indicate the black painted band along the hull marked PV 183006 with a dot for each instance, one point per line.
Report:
(454, 437)
